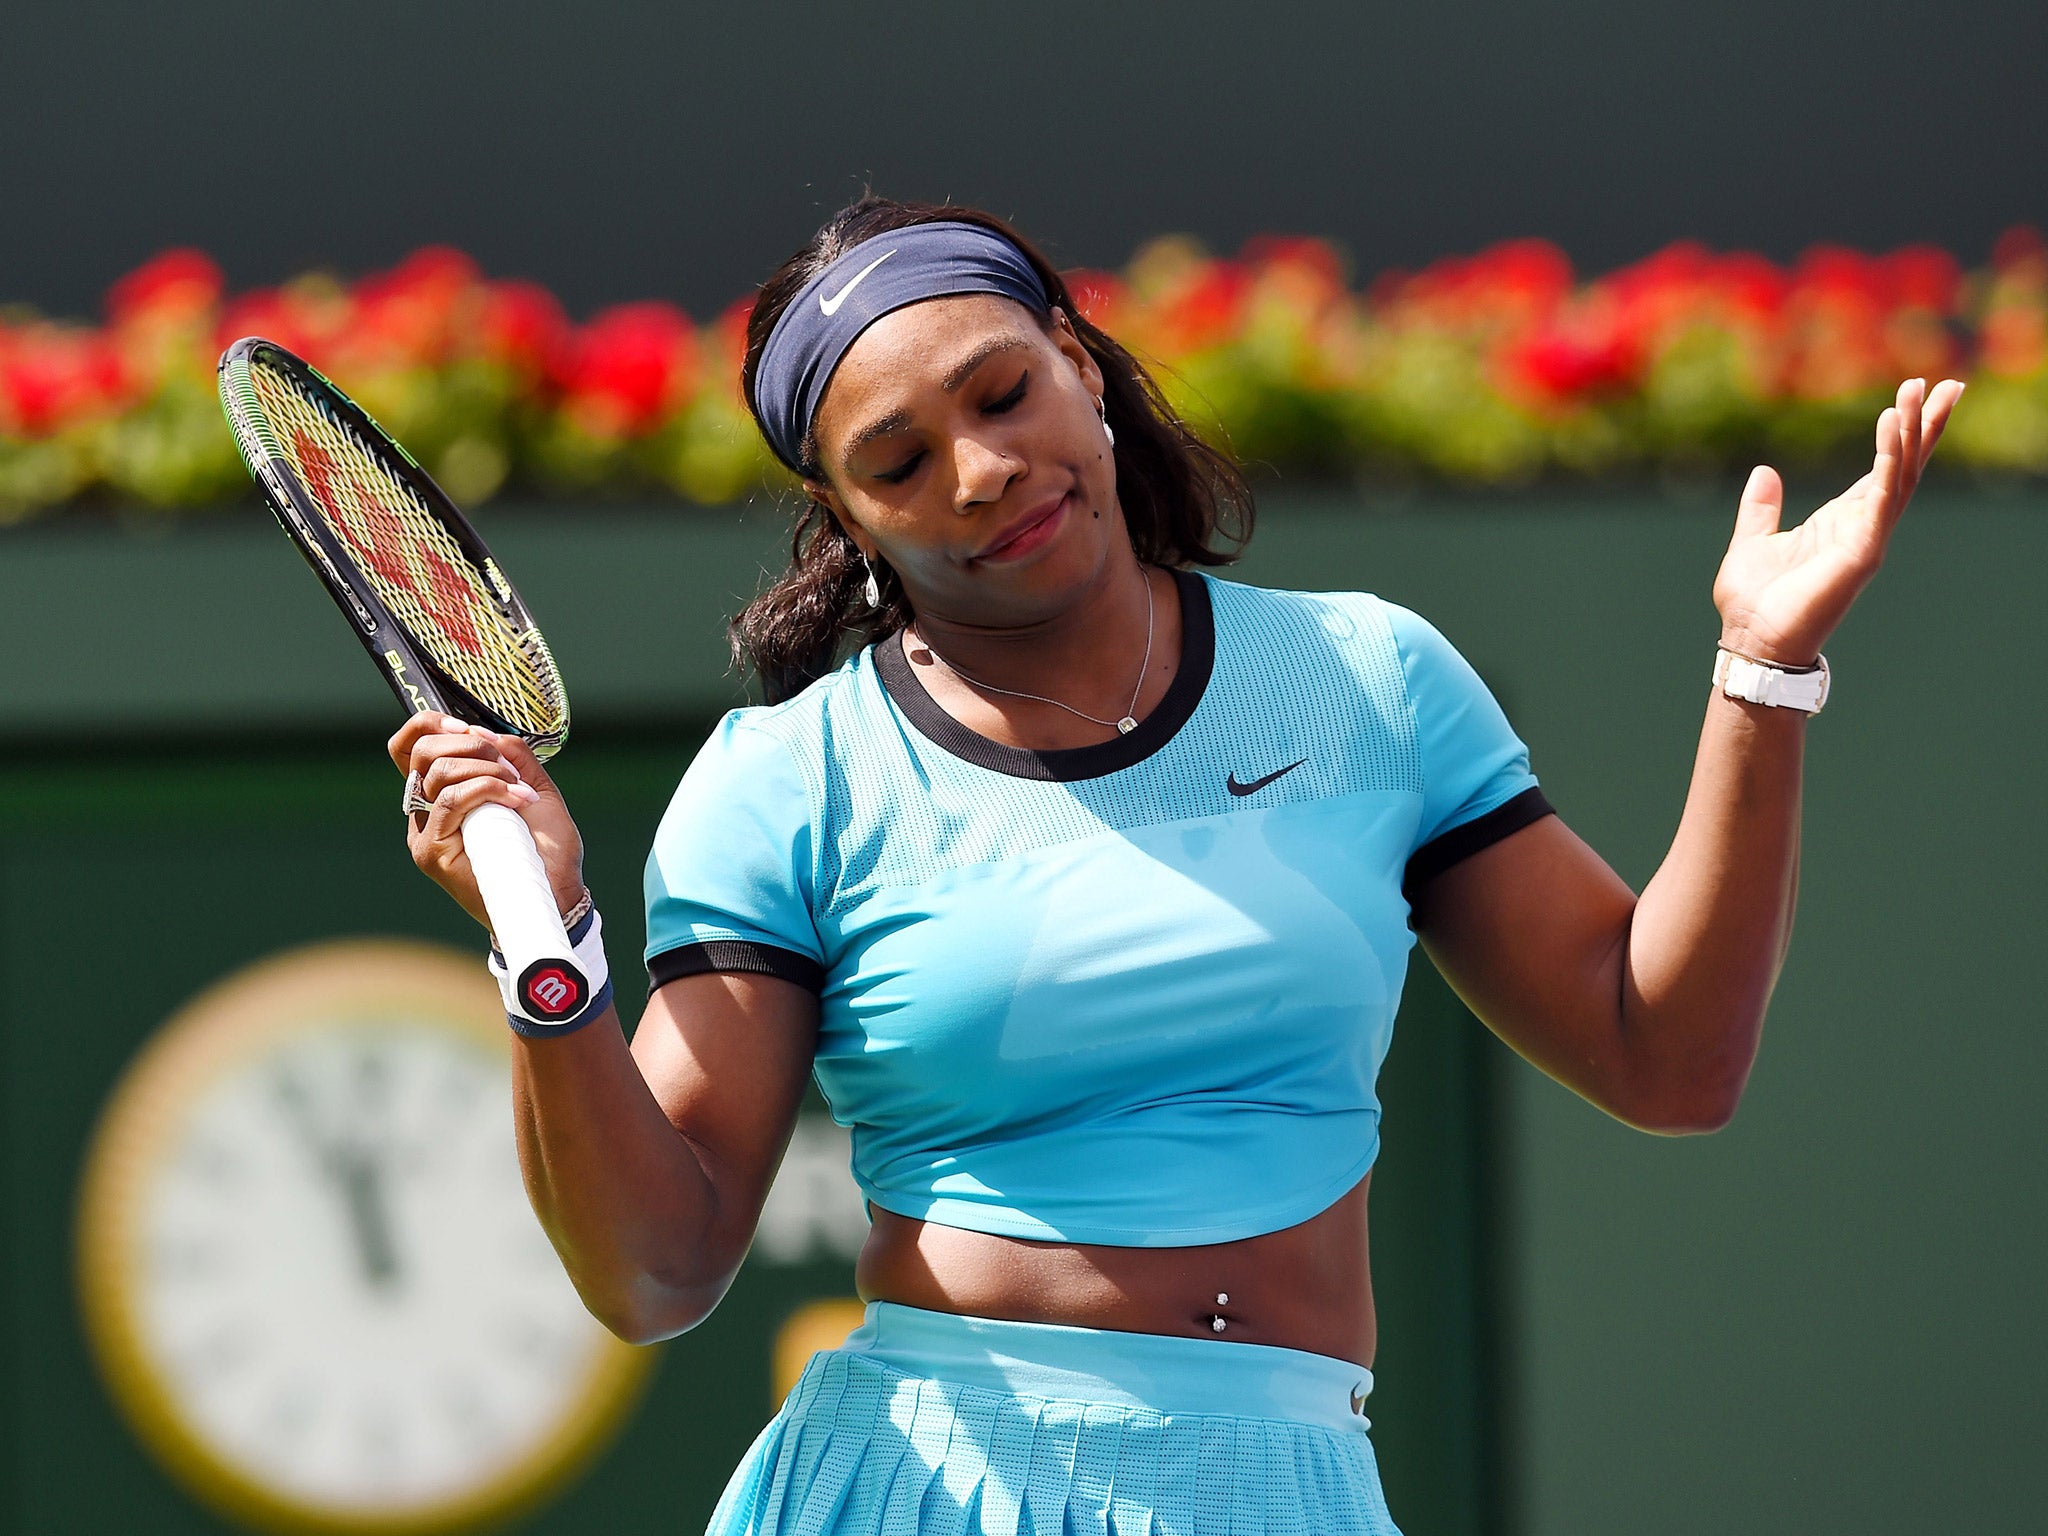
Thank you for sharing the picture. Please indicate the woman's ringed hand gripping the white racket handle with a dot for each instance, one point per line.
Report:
(464, 767)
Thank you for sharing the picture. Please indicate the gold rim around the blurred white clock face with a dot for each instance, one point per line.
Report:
(230, 1021)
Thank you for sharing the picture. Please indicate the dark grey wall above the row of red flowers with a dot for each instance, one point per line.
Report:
(626, 148)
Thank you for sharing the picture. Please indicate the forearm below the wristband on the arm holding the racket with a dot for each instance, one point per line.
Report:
(620, 1191)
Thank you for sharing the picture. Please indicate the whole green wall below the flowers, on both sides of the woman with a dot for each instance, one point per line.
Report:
(1820, 1320)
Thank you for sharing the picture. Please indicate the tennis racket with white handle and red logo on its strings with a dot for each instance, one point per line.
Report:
(433, 609)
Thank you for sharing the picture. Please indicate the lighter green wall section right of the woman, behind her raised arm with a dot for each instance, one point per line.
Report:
(1828, 1316)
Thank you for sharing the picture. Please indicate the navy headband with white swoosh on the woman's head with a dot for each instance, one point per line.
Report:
(904, 267)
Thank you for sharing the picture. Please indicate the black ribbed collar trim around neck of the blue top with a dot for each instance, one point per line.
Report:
(1068, 765)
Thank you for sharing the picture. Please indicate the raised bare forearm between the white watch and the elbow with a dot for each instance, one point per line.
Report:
(1709, 933)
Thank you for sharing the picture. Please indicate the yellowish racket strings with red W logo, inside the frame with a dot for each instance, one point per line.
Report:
(415, 564)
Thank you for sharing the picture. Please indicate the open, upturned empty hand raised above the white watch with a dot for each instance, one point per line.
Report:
(1781, 595)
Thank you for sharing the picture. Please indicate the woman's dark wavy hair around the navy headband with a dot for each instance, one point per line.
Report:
(1185, 501)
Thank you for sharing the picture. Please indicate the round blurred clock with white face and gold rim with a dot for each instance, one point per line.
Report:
(308, 1267)
